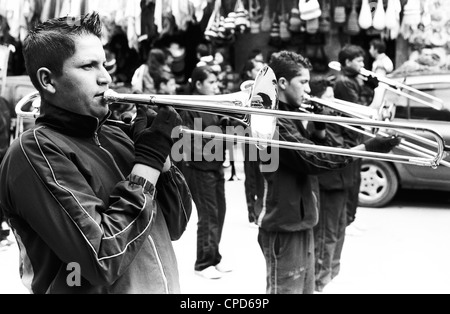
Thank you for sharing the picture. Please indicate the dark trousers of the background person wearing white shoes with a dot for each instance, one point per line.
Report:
(208, 193)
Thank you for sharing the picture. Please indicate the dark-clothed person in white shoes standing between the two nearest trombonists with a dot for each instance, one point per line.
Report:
(204, 173)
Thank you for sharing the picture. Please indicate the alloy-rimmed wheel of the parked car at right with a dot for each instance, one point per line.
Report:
(379, 184)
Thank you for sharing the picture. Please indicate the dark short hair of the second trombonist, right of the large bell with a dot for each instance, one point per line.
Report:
(288, 64)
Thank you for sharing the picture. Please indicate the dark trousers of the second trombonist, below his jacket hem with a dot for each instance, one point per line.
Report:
(289, 261)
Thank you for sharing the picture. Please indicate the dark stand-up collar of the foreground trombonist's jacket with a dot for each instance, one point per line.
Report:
(67, 122)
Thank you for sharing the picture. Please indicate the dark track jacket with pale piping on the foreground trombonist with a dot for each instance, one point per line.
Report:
(66, 190)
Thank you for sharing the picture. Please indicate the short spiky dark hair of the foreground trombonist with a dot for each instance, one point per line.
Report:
(51, 43)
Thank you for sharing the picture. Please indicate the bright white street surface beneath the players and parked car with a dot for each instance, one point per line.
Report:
(405, 249)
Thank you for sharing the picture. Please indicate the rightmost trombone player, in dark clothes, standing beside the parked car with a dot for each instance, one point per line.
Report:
(350, 87)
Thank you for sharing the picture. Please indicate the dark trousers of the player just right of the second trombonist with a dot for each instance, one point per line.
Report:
(329, 235)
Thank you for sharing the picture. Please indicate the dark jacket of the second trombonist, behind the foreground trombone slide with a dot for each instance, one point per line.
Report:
(291, 193)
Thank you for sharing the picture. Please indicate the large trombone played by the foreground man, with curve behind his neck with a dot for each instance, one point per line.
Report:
(259, 103)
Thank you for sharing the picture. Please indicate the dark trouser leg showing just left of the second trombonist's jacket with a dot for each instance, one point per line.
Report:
(254, 187)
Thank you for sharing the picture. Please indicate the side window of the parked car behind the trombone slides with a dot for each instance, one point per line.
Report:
(411, 109)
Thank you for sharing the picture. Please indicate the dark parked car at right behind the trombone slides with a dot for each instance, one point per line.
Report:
(380, 179)
